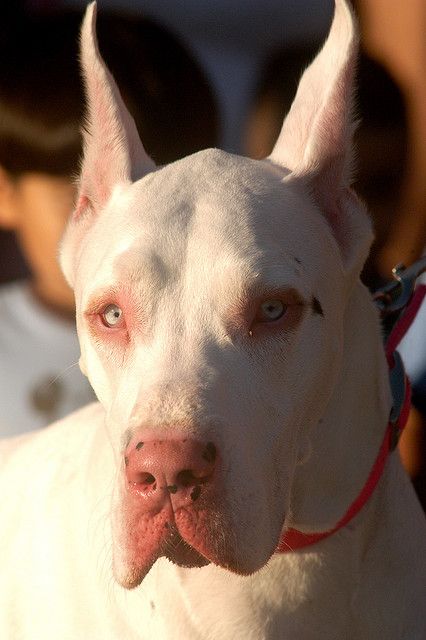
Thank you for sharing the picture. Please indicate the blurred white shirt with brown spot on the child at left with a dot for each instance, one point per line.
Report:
(40, 380)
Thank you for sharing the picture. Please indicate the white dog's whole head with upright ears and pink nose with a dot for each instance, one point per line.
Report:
(210, 296)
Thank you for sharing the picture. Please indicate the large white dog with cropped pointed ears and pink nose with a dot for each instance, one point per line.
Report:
(244, 398)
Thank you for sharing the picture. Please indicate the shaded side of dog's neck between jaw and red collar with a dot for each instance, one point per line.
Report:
(346, 441)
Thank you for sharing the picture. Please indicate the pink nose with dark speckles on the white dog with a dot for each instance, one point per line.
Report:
(159, 468)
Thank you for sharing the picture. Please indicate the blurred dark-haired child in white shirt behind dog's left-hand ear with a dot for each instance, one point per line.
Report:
(41, 108)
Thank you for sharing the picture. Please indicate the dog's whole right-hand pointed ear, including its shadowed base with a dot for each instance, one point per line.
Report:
(315, 142)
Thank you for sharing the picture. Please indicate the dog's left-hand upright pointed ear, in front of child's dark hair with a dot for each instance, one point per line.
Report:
(113, 153)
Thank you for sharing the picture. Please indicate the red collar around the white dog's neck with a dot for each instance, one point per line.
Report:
(292, 539)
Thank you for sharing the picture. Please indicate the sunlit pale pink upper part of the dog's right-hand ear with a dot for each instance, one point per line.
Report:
(317, 132)
